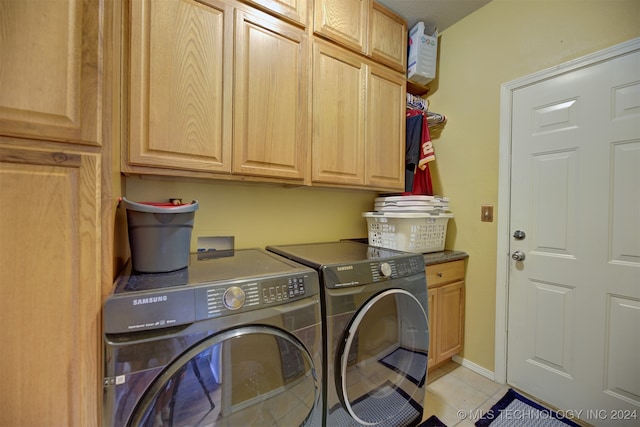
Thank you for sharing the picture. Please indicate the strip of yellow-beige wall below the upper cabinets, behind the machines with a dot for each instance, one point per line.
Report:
(260, 214)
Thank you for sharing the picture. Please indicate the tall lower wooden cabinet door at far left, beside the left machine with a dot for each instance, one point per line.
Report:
(49, 287)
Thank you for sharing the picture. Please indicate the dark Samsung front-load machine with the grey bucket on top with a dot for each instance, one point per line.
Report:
(226, 341)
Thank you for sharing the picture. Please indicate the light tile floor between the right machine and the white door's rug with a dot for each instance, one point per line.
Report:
(458, 396)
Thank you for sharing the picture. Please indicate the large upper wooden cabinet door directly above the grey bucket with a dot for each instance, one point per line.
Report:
(180, 88)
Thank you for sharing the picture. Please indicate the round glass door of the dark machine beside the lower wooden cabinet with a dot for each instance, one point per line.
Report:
(381, 365)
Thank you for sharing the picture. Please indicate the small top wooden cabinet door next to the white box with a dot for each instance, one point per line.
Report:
(388, 38)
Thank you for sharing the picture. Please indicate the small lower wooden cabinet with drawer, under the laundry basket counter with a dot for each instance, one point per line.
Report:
(446, 310)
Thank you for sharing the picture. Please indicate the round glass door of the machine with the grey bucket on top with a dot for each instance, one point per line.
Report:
(249, 376)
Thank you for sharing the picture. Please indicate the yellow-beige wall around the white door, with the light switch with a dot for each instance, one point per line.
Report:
(501, 42)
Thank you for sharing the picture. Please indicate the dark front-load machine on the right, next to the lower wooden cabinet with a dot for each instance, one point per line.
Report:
(376, 331)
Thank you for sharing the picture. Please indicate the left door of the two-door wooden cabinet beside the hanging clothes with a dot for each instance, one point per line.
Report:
(338, 148)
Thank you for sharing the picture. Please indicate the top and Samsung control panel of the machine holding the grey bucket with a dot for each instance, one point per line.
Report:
(249, 280)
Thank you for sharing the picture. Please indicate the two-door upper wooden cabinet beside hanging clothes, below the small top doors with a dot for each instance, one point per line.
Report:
(358, 121)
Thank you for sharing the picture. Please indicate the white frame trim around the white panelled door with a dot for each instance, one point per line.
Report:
(503, 259)
